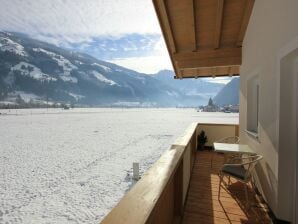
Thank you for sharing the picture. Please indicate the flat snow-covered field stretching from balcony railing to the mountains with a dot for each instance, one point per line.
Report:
(73, 166)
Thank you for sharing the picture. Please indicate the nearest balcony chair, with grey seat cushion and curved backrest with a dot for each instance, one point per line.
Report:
(241, 171)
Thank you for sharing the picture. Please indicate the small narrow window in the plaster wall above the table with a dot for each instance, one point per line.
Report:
(253, 105)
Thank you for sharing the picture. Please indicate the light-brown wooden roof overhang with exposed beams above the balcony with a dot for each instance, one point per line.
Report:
(204, 37)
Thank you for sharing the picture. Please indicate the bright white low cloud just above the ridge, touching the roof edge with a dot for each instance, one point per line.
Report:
(149, 65)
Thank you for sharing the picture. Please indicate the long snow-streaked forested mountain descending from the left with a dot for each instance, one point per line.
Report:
(35, 71)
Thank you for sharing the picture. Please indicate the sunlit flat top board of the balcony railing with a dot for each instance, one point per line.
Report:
(137, 205)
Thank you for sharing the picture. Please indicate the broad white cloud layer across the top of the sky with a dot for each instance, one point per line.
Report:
(78, 20)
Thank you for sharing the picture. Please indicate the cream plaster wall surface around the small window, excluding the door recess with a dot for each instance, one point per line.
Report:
(273, 25)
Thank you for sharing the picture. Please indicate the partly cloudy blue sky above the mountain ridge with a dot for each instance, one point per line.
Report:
(125, 32)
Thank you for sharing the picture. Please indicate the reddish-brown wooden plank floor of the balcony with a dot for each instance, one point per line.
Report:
(202, 204)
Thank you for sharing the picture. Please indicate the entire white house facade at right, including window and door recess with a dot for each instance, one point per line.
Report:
(268, 98)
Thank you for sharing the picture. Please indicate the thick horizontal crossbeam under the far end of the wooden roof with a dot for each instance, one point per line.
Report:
(209, 62)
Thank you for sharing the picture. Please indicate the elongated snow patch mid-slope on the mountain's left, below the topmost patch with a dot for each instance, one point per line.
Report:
(31, 70)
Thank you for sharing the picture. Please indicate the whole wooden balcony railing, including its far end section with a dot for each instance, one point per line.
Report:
(159, 196)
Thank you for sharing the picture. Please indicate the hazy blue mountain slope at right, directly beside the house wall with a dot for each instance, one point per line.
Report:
(229, 95)
